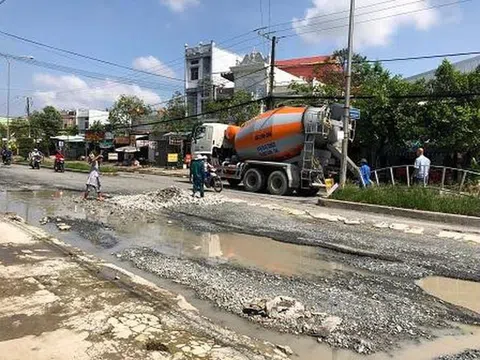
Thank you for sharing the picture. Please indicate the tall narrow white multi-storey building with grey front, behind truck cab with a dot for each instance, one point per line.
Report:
(204, 65)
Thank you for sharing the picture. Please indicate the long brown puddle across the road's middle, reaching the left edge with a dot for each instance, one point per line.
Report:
(172, 239)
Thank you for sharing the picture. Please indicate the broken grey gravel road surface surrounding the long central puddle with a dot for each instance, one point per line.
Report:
(369, 303)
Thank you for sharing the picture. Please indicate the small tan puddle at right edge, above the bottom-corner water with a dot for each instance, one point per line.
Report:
(458, 292)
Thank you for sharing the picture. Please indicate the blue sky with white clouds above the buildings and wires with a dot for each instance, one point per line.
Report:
(123, 31)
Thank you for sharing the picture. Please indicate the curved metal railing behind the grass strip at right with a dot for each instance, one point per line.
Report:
(462, 181)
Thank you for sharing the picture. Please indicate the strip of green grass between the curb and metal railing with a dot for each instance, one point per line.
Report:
(415, 197)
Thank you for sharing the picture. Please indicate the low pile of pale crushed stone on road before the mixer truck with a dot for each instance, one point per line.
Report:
(165, 198)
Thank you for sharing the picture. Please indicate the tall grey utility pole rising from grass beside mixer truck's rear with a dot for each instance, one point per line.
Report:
(348, 81)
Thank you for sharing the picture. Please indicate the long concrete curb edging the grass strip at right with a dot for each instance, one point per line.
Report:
(408, 213)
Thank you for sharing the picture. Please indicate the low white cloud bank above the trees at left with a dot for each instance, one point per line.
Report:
(69, 92)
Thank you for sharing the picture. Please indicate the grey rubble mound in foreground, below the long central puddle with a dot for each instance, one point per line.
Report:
(326, 307)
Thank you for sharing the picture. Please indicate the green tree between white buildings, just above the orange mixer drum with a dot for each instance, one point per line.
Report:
(237, 115)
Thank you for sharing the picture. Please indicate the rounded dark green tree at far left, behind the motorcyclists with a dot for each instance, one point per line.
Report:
(46, 123)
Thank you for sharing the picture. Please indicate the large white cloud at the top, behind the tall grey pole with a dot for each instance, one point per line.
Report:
(367, 33)
